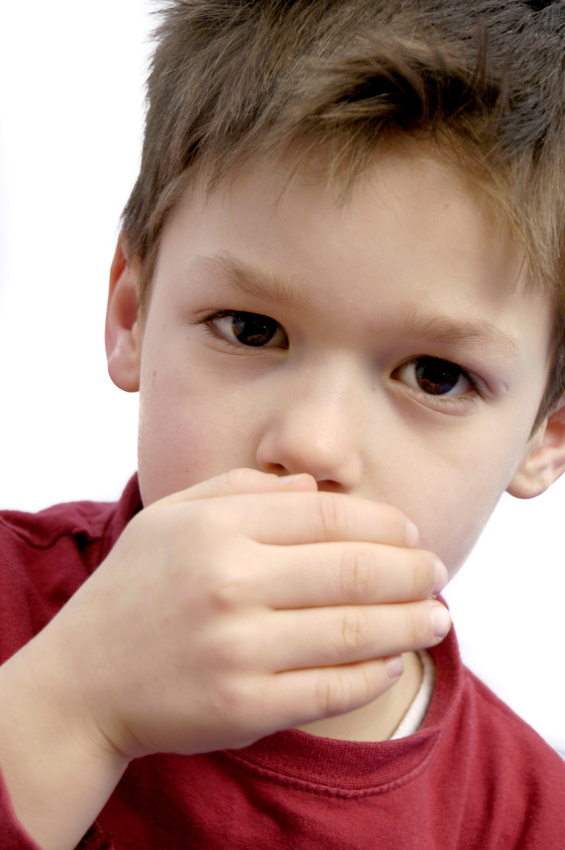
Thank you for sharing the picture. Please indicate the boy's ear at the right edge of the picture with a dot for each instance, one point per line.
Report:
(544, 460)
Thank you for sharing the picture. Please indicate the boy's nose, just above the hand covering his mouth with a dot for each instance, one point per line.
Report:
(316, 426)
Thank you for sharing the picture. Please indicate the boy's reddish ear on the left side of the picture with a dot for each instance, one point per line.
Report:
(123, 328)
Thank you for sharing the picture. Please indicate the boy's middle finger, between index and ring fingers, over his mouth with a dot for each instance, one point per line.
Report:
(325, 574)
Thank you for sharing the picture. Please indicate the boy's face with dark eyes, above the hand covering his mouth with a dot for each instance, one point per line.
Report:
(388, 346)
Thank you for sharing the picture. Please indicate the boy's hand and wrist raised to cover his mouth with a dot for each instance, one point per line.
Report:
(224, 613)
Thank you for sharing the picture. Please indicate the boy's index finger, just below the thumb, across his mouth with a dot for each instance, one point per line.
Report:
(316, 517)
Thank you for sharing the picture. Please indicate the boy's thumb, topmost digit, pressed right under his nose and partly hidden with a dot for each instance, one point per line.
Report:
(242, 481)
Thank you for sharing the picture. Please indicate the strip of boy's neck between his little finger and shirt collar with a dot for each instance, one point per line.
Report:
(379, 719)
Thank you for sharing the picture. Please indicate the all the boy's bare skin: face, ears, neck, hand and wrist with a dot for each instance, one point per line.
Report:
(286, 482)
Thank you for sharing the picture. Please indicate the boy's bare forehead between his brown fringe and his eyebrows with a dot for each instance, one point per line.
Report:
(405, 194)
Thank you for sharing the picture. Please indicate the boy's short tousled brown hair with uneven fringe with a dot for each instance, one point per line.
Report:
(482, 81)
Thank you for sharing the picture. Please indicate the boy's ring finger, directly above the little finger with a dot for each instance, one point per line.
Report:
(323, 637)
